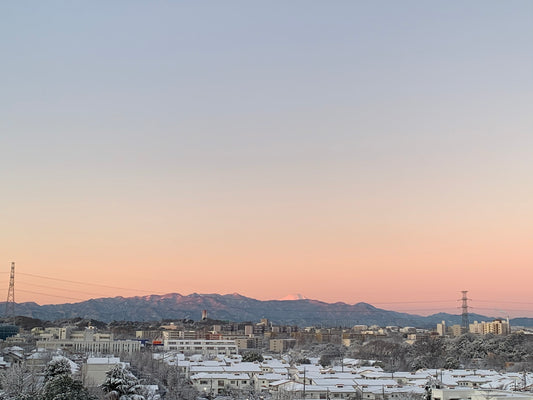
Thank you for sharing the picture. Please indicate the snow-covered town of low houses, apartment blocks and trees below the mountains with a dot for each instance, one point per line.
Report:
(210, 359)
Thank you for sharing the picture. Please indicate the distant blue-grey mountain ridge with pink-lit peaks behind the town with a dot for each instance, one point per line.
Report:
(238, 308)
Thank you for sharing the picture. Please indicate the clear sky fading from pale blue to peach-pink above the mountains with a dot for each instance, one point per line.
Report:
(375, 151)
